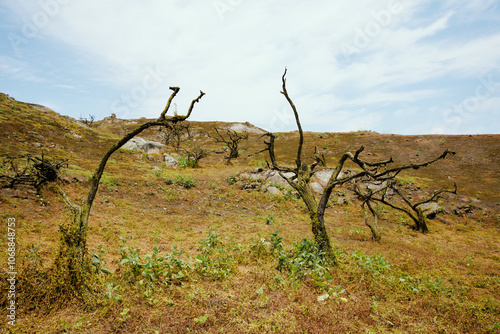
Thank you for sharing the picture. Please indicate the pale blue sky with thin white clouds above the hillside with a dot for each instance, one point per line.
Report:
(419, 67)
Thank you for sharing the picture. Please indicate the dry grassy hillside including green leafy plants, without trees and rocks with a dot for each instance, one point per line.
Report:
(167, 256)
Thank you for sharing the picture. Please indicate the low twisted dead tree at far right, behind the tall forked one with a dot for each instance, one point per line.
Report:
(413, 210)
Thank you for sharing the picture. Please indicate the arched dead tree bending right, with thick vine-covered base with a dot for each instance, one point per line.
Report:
(72, 263)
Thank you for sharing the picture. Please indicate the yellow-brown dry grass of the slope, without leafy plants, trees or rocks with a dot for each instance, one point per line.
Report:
(447, 281)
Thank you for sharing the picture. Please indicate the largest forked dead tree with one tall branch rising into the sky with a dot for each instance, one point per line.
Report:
(299, 177)
